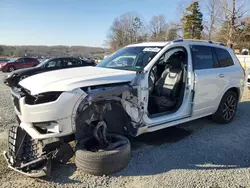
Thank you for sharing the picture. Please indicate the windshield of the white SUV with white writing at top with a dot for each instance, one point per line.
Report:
(130, 58)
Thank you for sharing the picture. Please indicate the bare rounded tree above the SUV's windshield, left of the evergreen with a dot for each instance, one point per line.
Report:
(158, 27)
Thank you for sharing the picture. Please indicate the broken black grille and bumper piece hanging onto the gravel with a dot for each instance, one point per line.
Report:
(28, 156)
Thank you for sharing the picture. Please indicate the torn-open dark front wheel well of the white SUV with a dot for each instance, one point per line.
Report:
(116, 104)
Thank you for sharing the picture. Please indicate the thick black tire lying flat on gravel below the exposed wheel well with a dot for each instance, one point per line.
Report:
(103, 162)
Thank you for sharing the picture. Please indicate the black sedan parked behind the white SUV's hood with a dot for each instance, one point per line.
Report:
(47, 65)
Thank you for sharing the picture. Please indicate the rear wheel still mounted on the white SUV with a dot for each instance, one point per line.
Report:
(227, 108)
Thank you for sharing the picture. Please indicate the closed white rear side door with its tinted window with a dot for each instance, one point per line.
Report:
(210, 80)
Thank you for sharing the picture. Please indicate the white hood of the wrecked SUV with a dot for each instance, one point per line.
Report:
(69, 79)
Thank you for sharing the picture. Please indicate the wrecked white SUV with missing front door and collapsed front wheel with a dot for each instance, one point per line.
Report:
(140, 88)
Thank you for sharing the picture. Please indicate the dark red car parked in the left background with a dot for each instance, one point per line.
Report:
(19, 63)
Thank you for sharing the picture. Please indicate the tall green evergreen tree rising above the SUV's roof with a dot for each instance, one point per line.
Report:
(192, 22)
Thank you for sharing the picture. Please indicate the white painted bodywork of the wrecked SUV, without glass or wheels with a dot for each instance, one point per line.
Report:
(207, 86)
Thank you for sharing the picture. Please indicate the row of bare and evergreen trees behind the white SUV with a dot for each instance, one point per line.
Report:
(226, 21)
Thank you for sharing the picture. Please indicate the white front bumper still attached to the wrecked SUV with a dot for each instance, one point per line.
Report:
(56, 117)
